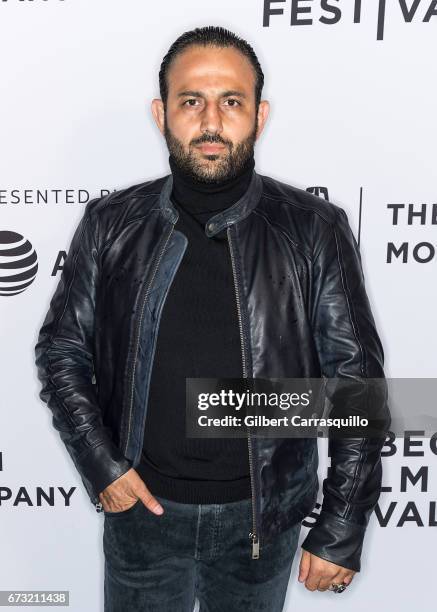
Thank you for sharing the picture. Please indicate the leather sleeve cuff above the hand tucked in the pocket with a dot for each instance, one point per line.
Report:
(100, 466)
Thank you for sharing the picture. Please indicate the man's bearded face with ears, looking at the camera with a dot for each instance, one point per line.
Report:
(211, 121)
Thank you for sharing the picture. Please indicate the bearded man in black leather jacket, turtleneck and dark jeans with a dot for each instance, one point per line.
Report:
(211, 271)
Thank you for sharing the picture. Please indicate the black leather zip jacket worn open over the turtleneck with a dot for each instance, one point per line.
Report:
(303, 312)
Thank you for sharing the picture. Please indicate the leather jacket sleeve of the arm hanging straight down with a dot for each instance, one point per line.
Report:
(349, 349)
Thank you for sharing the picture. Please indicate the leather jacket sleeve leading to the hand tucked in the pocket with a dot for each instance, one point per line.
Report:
(64, 360)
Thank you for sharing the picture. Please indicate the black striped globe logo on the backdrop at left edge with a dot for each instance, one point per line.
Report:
(18, 263)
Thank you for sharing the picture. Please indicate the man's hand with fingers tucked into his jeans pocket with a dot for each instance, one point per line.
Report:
(124, 492)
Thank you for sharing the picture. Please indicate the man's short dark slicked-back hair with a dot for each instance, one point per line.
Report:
(213, 36)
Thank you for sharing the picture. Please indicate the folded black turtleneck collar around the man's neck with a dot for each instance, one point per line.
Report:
(205, 198)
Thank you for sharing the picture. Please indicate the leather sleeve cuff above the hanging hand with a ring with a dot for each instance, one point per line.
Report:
(337, 540)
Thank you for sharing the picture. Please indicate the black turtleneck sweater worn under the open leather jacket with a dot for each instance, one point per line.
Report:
(198, 337)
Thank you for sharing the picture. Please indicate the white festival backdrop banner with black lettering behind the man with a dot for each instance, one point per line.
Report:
(352, 92)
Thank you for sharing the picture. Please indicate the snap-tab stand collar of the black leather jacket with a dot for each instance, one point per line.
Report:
(224, 218)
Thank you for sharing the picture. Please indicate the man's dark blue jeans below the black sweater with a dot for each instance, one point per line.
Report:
(162, 563)
